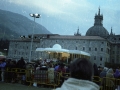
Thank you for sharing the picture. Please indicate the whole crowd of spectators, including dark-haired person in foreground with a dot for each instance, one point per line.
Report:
(81, 72)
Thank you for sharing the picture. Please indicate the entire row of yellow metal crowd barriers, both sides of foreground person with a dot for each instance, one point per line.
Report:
(43, 77)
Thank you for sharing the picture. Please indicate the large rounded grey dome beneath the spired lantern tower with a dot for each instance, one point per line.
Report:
(97, 31)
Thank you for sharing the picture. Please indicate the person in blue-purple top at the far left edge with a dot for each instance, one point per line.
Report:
(2, 66)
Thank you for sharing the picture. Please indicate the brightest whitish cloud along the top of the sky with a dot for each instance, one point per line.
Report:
(63, 9)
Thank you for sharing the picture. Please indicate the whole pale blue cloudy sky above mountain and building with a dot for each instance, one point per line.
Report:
(64, 17)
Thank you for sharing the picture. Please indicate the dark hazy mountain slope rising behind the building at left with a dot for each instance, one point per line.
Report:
(13, 25)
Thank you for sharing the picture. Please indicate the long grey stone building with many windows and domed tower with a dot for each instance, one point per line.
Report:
(102, 46)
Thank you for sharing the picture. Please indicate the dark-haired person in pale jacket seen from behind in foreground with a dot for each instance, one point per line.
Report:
(81, 71)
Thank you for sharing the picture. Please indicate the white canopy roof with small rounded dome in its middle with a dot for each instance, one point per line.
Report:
(58, 48)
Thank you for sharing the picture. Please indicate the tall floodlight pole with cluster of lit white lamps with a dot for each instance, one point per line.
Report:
(34, 16)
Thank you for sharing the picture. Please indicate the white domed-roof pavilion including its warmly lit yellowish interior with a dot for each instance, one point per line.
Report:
(64, 52)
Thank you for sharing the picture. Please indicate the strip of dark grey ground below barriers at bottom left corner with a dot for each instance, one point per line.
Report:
(17, 86)
